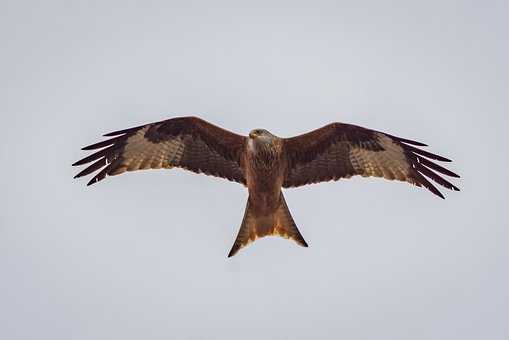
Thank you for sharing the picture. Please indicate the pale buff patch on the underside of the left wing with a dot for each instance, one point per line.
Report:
(140, 153)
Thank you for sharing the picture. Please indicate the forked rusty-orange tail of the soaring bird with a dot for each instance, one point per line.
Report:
(280, 223)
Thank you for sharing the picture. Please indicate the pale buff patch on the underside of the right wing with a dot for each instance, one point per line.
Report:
(391, 163)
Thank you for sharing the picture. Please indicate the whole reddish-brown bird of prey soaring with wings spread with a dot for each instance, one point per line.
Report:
(265, 163)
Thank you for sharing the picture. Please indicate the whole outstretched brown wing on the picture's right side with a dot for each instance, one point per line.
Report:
(342, 150)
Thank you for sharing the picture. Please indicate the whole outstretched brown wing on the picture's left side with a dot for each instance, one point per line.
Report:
(186, 142)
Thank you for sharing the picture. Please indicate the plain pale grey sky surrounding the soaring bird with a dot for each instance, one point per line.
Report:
(143, 255)
